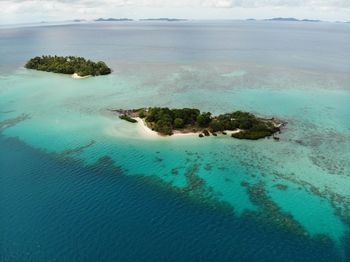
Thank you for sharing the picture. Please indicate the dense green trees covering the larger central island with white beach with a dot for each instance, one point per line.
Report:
(165, 120)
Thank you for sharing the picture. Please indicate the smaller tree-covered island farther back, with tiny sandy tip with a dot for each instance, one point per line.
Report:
(76, 66)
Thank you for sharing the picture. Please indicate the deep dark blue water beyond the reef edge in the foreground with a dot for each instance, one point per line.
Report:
(56, 209)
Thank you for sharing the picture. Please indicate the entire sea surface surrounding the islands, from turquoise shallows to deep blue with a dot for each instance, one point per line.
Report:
(79, 184)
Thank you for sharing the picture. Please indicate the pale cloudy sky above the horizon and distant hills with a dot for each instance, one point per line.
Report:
(29, 11)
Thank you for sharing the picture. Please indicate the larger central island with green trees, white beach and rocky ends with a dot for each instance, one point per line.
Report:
(165, 121)
